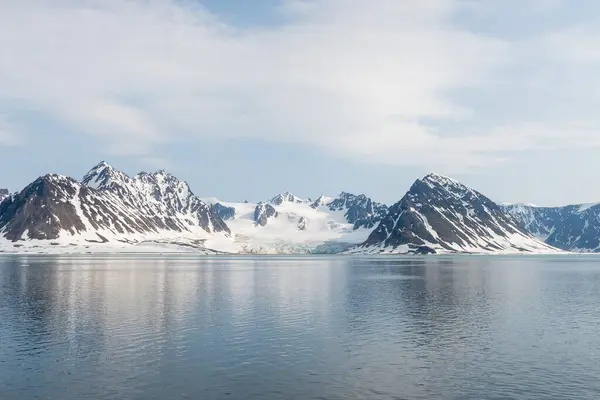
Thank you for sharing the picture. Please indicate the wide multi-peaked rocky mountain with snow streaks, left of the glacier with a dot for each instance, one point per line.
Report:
(109, 206)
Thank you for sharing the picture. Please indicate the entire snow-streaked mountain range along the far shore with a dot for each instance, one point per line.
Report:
(109, 211)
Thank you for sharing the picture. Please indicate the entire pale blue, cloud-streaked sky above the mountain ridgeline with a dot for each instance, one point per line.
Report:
(247, 99)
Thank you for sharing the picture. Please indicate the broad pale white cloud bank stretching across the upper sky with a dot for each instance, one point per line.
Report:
(373, 81)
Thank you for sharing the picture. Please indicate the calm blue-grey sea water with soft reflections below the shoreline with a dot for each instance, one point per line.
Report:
(143, 327)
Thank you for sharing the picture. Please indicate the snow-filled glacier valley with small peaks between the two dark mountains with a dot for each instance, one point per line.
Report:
(287, 223)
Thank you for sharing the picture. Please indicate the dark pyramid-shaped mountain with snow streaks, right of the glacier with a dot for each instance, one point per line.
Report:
(441, 215)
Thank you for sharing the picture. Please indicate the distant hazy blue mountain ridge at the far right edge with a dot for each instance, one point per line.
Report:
(574, 228)
